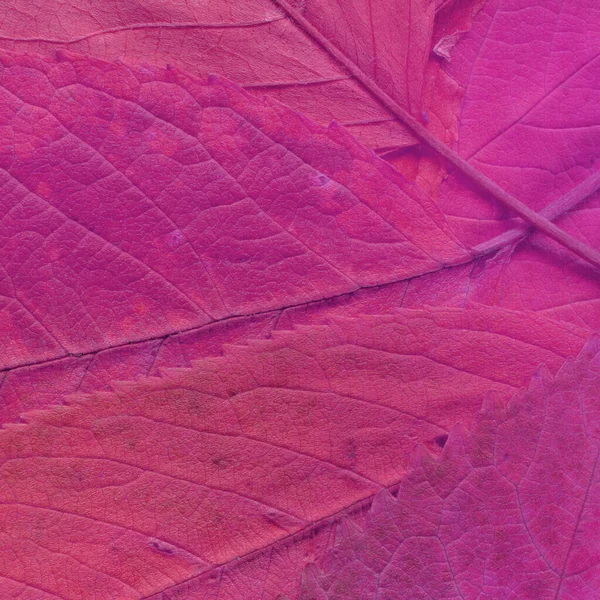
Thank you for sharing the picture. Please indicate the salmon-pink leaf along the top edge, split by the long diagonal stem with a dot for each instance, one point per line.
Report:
(256, 44)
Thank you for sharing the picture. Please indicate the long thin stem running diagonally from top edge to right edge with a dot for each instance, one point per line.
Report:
(539, 221)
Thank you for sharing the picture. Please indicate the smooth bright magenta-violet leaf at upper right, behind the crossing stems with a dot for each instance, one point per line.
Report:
(538, 146)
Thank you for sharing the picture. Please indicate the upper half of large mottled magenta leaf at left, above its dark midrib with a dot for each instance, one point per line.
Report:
(143, 202)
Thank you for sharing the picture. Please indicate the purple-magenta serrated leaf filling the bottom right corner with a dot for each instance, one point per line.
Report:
(509, 510)
